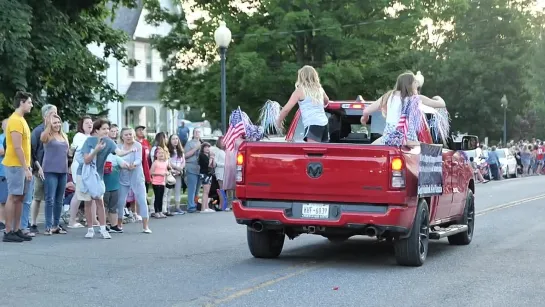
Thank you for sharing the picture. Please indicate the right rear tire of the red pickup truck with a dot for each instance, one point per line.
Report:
(413, 251)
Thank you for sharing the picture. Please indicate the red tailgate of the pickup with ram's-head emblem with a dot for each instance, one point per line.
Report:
(316, 172)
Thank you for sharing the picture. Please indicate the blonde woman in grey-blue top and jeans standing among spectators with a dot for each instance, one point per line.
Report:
(55, 167)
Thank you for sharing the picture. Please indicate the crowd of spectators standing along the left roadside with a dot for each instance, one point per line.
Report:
(101, 178)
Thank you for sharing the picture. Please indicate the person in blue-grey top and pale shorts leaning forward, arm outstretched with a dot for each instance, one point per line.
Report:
(96, 149)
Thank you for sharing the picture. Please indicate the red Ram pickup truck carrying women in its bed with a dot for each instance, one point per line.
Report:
(350, 187)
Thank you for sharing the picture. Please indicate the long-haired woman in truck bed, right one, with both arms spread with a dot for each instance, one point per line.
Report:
(403, 101)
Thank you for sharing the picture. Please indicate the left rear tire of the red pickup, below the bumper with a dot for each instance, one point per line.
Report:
(265, 244)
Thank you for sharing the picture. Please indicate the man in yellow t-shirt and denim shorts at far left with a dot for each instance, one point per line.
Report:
(17, 166)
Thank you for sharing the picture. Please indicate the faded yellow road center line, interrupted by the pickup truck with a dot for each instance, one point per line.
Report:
(311, 267)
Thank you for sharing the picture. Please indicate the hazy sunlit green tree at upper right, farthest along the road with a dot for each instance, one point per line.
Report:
(487, 54)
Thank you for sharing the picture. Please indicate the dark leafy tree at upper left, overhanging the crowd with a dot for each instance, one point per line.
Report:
(43, 47)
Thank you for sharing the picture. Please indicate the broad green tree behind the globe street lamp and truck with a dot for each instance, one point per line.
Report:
(358, 47)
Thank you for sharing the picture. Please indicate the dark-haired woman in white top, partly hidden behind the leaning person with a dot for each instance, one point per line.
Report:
(85, 127)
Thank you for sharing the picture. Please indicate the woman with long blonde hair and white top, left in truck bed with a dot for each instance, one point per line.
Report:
(312, 100)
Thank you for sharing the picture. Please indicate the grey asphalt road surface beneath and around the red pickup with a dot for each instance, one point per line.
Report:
(203, 260)
